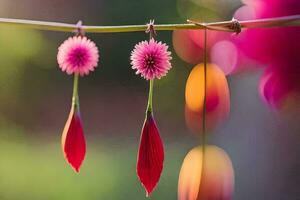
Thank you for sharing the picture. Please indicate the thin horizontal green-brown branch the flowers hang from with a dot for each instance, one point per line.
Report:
(293, 20)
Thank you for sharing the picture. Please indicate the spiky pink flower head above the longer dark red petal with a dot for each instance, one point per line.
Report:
(151, 59)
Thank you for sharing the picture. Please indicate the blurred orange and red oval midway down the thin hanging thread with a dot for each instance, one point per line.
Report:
(217, 99)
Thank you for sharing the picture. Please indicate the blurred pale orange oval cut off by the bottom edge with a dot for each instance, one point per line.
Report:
(214, 182)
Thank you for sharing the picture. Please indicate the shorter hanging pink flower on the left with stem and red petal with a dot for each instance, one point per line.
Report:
(77, 55)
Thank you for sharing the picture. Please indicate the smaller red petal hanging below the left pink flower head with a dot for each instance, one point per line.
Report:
(73, 142)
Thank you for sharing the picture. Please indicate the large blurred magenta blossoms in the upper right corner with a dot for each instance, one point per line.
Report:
(278, 49)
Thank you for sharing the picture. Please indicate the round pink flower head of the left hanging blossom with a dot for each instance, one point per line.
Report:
(78, 54)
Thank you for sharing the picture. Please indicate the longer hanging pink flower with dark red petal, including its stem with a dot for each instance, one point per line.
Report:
(151, 60)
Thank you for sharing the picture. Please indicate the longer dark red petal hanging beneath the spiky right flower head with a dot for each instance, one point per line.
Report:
(150, 155)
